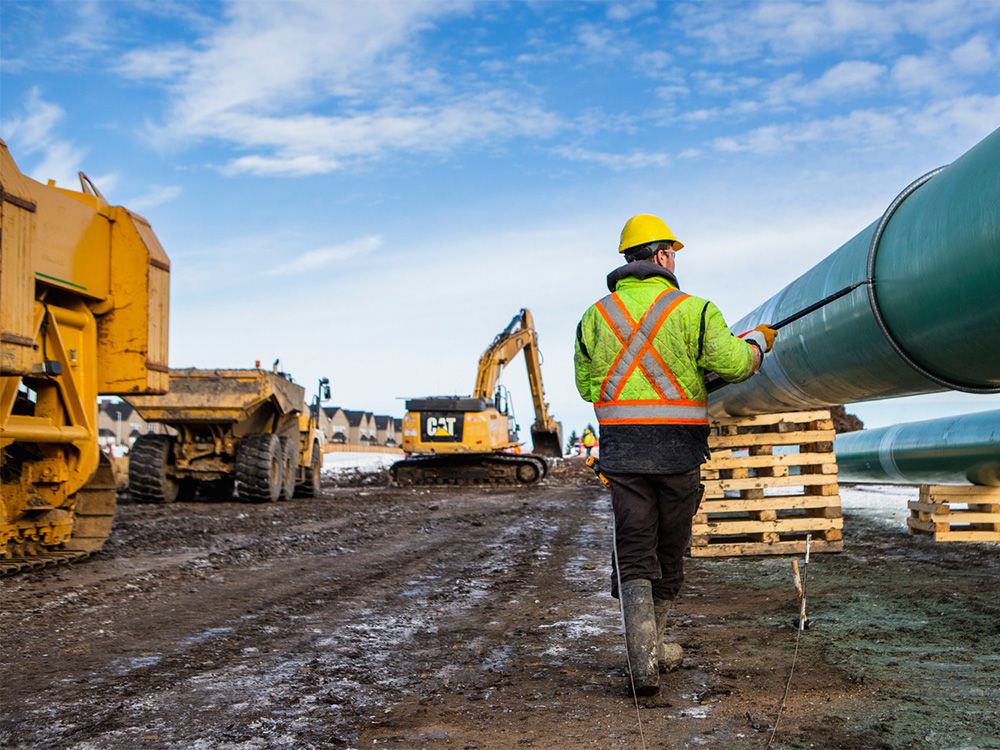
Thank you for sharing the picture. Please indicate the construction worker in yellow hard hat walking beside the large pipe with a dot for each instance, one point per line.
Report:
(641, 356)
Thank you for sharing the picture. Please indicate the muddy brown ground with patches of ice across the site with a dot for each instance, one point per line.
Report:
(452, 618)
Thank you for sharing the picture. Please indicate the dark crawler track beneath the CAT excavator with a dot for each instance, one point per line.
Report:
(470, 469)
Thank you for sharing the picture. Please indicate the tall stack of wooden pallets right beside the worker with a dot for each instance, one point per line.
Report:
(762, 502)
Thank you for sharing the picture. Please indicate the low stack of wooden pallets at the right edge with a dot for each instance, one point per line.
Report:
(956, 514)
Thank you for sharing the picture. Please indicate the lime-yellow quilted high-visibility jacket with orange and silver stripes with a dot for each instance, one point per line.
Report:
(642, 351)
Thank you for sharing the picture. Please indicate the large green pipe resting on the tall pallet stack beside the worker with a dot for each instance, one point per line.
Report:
(925, 318)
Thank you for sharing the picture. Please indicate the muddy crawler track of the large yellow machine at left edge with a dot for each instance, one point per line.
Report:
(92, 518)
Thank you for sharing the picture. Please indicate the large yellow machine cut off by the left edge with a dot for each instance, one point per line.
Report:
(84, 295)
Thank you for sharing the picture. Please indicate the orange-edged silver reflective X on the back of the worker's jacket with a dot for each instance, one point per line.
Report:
(637, 351)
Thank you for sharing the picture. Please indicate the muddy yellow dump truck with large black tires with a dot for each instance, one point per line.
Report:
(242, 429)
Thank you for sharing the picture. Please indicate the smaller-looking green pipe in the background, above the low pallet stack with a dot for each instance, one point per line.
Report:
(943, 451)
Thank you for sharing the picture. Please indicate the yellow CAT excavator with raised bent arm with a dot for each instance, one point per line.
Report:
(473, 439)
